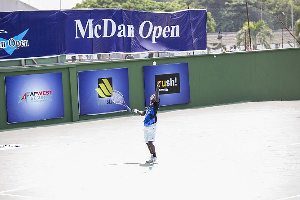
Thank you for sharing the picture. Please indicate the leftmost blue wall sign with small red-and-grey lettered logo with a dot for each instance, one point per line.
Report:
(34, 97)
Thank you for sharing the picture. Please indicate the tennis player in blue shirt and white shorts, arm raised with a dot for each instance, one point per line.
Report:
(150, 122)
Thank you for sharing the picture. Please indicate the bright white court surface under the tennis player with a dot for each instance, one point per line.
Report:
(245, 151)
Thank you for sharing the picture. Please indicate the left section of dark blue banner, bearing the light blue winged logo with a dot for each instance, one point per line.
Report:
(31, 34)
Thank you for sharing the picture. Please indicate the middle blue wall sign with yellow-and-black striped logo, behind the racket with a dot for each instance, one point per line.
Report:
(95, 89)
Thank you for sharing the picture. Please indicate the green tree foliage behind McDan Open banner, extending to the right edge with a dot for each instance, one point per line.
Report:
(227, 16)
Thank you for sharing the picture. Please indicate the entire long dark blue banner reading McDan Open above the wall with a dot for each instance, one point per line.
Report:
(26, 34)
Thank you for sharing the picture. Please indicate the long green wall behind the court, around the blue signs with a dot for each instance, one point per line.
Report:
(214, 79)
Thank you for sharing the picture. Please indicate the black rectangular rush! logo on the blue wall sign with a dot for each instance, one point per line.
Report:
(169, 83)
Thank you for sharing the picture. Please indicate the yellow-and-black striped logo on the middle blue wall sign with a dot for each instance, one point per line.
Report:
(104, 91)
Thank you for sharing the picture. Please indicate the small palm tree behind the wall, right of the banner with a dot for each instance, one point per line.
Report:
(260, 34)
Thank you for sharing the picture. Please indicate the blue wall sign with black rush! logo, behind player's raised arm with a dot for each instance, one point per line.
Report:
(174, 83)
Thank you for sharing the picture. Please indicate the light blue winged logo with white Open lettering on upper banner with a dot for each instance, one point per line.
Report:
(17, 42)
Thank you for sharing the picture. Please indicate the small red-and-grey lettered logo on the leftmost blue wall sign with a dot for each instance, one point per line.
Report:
(40, 96)
